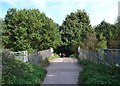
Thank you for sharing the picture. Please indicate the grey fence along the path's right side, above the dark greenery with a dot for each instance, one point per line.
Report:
(106, 56)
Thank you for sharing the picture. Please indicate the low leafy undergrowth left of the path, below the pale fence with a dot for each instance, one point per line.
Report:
(17, 72)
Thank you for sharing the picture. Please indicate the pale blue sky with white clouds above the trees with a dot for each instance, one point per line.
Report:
(97, 10)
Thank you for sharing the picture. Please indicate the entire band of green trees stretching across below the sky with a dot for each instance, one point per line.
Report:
(29, 29)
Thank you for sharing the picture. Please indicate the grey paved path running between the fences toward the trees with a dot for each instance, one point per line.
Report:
(62, 71)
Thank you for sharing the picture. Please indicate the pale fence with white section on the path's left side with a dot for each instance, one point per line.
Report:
(35, 58)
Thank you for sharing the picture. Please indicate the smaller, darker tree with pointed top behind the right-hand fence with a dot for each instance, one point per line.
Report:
(106, 32)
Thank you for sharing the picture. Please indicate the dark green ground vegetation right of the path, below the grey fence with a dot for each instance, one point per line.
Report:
(97, 74)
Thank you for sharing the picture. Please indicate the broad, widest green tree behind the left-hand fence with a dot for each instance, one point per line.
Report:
(29, 29)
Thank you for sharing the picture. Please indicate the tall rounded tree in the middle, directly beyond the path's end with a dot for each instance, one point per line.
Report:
(74, 30)
